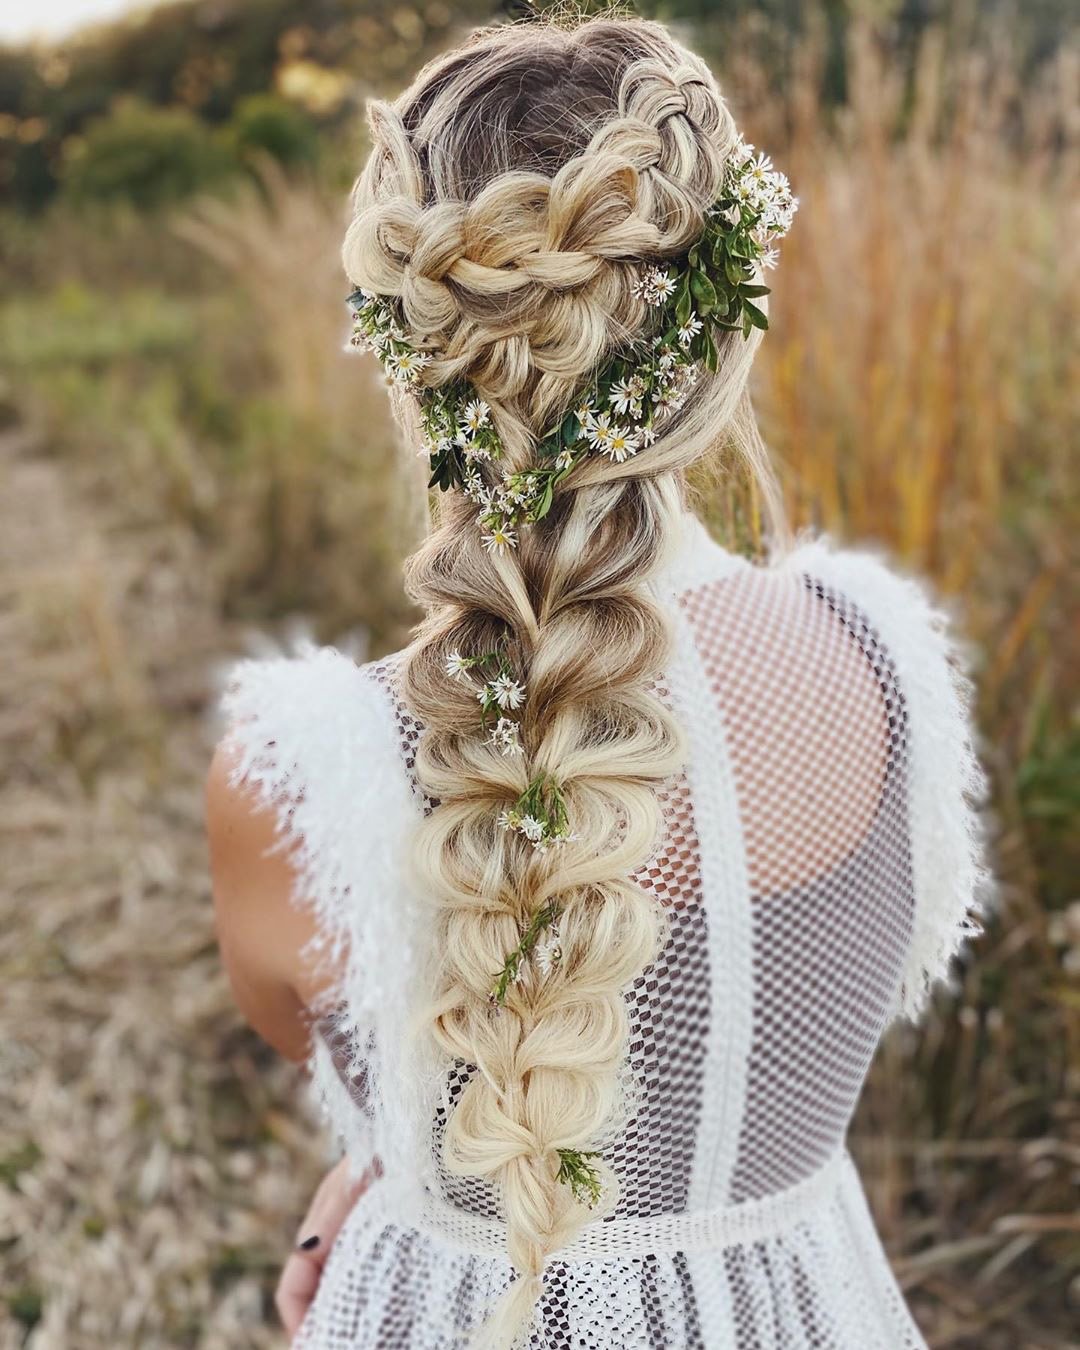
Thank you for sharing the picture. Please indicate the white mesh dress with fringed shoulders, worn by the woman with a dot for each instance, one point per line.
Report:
(820, 867)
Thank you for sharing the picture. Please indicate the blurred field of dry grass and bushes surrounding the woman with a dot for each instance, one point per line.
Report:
(188, 460)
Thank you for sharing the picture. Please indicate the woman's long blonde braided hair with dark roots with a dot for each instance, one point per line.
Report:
(510, 199)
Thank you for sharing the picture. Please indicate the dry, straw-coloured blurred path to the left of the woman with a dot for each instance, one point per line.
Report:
(155, 1158)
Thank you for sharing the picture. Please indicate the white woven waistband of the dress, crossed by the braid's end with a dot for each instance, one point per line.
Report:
(724, 1226)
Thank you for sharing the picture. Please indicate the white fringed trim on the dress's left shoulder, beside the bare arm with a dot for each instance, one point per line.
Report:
(315, 736)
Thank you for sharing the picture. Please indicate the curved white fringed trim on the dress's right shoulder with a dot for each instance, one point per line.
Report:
(950, 788)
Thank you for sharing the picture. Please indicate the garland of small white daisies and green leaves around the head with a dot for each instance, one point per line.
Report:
(711, 290)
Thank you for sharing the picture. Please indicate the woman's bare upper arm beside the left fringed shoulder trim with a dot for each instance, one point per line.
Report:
(260, 929)
